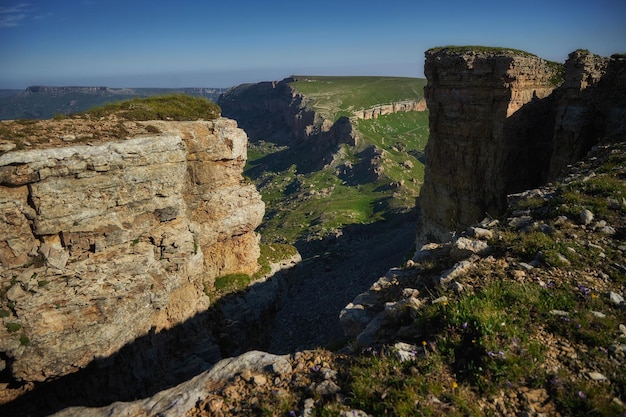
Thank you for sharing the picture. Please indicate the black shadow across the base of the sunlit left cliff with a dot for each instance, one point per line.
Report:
(236, 323)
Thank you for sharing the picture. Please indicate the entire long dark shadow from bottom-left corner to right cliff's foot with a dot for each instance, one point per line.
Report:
(335, 271)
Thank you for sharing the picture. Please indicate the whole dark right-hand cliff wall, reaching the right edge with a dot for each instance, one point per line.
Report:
(499, 124)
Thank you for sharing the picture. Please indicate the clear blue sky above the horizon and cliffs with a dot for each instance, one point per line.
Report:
(210, 43)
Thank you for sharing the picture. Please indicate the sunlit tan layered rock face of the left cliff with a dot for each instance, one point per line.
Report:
(104, 243)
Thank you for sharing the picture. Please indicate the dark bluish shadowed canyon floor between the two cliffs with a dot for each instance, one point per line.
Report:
(327, 281)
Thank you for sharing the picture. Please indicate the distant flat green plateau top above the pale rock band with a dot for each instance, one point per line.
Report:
(334, 97)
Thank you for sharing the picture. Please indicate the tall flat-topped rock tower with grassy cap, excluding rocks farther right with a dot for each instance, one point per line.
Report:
(474, 156)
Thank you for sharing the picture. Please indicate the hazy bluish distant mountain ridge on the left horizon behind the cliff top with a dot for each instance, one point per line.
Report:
(44, 102)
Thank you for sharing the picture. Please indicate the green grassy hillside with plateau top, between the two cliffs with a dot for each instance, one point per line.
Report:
(311, 206)
